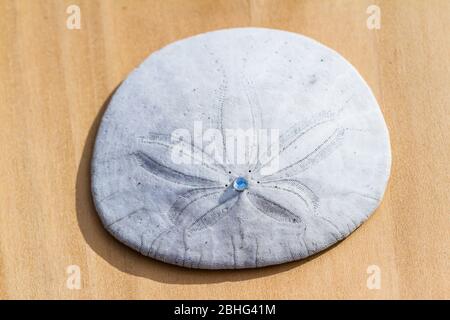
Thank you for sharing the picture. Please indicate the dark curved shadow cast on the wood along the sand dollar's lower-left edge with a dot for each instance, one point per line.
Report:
(126, 259)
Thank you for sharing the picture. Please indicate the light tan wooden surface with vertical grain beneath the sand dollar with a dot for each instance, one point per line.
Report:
(53, 86)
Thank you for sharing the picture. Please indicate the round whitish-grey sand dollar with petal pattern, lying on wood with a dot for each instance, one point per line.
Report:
(334, 153)
